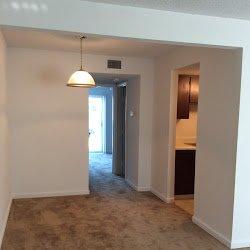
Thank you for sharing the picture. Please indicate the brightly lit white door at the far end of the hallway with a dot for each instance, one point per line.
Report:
(96, 123)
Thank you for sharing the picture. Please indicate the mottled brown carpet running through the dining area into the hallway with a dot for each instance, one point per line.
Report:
(113, 216)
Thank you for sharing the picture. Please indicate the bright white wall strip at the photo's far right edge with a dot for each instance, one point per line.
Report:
(241, 220)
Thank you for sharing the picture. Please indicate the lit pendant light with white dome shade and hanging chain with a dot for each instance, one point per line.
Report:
(81, 78)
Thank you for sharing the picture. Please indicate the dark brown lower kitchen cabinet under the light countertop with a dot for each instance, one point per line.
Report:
(184, 172)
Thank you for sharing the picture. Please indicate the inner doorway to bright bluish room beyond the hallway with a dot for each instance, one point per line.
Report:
(101, 129)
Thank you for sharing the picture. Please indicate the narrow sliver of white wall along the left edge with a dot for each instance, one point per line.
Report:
(5, 186)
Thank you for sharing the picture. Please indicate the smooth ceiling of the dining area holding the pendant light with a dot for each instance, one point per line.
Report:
(23, 38)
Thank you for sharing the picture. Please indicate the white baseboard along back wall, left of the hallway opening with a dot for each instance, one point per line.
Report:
(49, 194)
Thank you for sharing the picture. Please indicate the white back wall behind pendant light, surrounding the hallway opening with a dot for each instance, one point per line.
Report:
(49, 121)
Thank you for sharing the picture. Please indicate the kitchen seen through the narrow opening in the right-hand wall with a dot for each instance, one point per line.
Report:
(186, 136)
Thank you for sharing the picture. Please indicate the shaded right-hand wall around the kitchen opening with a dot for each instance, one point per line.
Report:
(220, 72)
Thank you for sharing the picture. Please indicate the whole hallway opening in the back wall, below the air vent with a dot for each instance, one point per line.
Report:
(110, 157)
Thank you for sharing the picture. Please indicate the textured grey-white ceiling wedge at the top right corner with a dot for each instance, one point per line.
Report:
(220, 8)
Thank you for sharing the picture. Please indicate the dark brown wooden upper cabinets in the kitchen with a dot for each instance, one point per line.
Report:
(188, 91)
